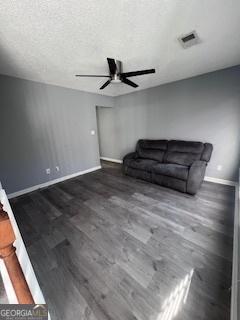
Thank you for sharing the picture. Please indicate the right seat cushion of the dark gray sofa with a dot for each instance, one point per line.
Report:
(171, 170)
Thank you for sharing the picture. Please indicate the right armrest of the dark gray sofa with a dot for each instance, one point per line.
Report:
(196, 176)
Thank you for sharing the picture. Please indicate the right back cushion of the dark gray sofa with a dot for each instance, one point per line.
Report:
(183, 152)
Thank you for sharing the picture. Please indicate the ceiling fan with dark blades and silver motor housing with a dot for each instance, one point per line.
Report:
(116, 75)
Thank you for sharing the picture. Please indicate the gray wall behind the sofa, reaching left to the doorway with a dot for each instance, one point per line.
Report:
(204, 108)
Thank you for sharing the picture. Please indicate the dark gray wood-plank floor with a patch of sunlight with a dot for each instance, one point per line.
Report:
(105, 246)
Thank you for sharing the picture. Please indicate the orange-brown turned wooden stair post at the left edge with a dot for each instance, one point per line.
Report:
(8, 254)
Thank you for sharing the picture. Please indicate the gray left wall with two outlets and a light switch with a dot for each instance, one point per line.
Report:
(43, 126)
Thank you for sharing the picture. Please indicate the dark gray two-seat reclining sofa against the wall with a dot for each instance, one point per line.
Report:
(176, 164)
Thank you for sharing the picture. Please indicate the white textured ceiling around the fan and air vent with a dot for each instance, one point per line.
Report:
(51, 40)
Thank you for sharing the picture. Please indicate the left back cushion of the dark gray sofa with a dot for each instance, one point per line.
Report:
(152, 149)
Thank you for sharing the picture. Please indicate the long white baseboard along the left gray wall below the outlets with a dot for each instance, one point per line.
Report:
(51, 182)
